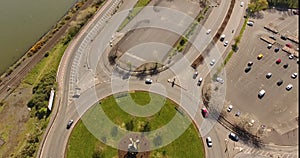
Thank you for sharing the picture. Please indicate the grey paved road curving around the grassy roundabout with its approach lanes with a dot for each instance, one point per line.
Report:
(105, 81)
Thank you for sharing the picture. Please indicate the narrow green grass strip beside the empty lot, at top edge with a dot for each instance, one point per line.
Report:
(136, 9)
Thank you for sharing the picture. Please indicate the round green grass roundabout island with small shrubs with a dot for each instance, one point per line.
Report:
(82, 143)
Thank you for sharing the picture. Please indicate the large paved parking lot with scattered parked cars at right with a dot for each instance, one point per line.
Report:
(278, 108)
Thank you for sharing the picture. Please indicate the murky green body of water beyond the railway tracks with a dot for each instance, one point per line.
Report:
(23, 22)
